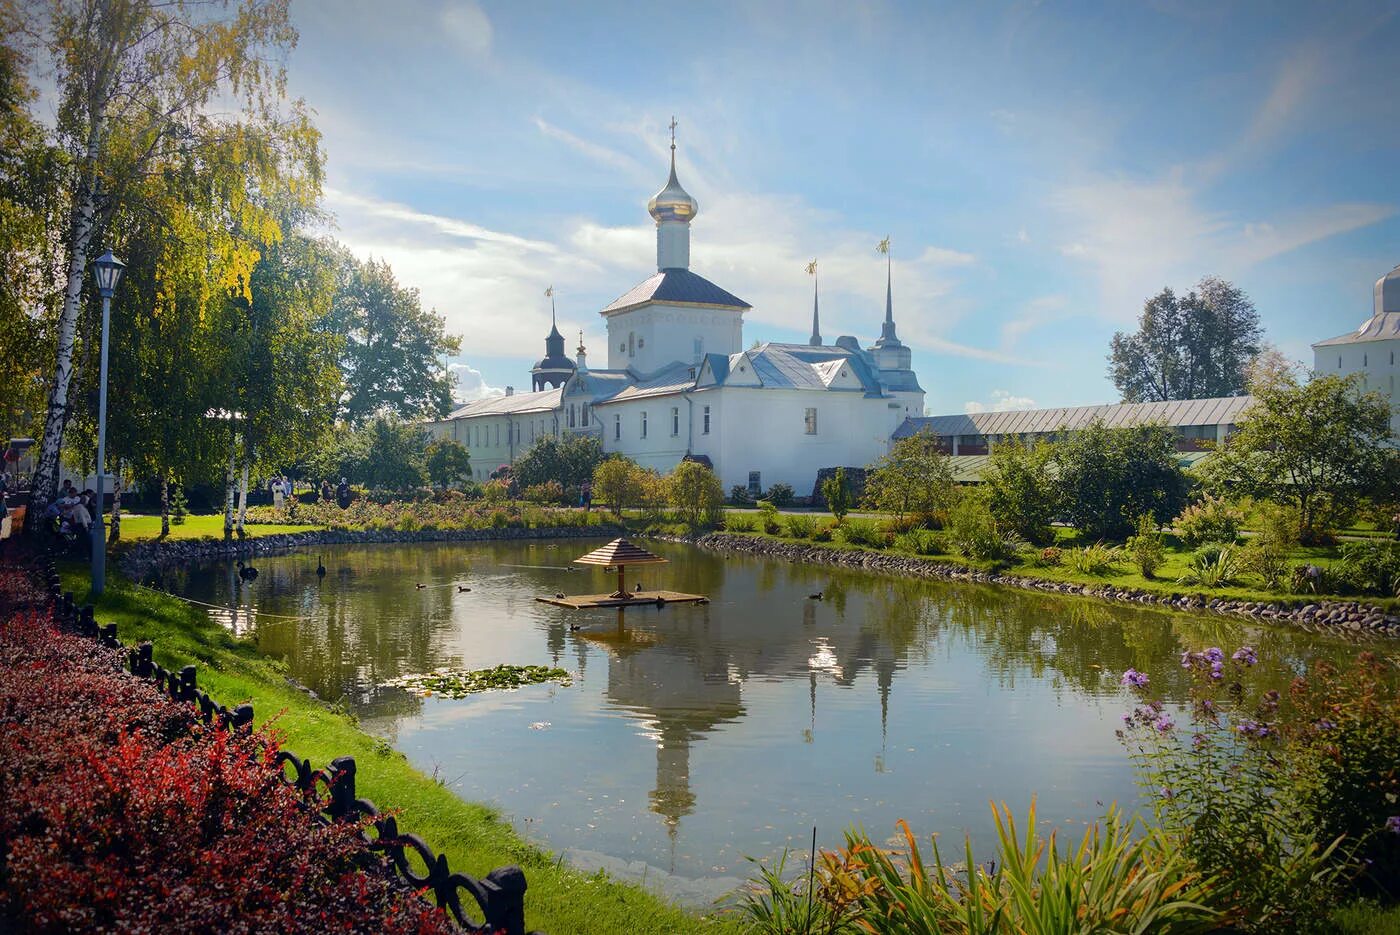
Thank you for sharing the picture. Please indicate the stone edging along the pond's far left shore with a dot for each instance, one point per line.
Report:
(139, 561)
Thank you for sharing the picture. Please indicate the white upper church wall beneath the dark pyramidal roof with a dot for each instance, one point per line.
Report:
(649, 338)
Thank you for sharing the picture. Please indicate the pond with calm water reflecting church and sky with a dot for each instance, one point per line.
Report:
(696, 736)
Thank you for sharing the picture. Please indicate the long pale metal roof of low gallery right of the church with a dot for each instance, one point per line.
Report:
(1178, 412)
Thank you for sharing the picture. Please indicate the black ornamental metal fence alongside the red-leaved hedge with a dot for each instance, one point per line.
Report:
(330, 792)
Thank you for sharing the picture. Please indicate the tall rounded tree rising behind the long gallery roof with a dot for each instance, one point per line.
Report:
(1196, 346)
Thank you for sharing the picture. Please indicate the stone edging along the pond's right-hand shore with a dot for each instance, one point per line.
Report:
(1343, 617)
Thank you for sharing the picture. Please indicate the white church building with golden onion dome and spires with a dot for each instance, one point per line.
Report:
(680, 384)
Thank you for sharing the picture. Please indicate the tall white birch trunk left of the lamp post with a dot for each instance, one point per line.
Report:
(47, 471)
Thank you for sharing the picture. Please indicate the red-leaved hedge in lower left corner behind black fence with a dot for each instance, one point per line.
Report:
(121, 811)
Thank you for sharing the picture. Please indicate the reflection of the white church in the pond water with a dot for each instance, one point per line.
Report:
(682, 675)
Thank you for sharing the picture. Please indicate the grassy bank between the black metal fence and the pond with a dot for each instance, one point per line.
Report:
(472, 836)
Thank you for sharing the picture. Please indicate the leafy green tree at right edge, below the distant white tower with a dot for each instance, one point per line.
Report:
(1319, 447)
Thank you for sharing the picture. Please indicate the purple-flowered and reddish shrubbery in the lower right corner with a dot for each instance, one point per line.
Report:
(1282, 800)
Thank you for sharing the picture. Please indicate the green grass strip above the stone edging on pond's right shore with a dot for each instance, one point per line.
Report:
(1122, 576)
